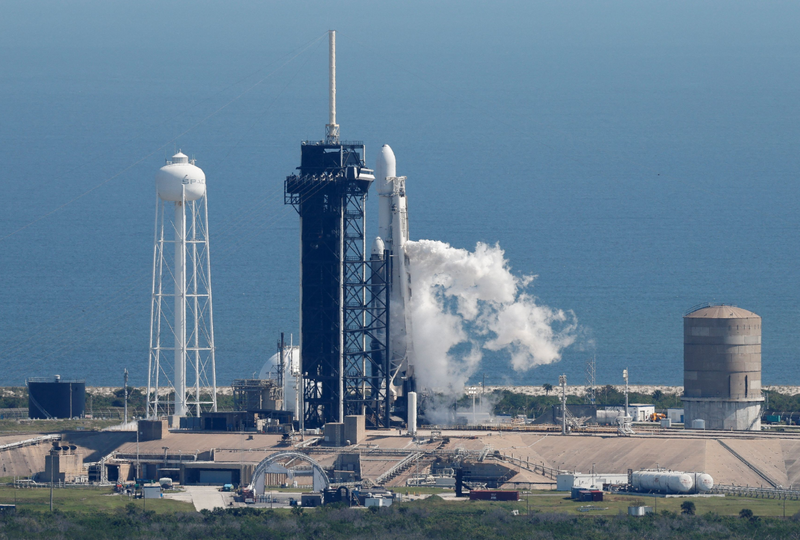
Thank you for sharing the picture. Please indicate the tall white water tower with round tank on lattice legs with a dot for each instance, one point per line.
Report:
(181, 322)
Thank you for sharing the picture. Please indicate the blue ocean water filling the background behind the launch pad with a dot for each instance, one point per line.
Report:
(637, 158)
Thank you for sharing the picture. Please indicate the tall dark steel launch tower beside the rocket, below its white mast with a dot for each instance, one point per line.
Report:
(344, 310)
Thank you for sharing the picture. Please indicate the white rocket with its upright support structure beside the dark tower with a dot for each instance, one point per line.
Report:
(393, 234)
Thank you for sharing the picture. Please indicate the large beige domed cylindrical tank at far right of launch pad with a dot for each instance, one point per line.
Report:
(722, 368)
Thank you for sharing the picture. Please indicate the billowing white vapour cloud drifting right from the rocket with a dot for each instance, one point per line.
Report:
(464, 302)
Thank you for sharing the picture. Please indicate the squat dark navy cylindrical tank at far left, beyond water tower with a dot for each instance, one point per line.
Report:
(56, 398)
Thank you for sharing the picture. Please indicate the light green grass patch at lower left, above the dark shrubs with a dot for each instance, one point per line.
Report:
(85, 499)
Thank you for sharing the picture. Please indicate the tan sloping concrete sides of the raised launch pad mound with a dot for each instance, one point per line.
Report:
(757, 459)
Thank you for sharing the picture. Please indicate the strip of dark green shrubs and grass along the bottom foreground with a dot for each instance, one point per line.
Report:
(93, 514)
